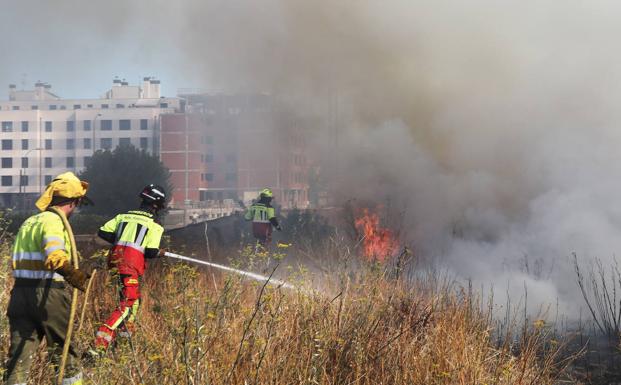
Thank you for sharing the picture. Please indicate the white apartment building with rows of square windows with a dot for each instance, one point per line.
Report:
(43, 135)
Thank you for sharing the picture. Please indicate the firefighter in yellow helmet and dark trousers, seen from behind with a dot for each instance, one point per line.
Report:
(39, 306)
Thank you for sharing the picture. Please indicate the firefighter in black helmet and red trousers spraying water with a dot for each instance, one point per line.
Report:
(134, 236)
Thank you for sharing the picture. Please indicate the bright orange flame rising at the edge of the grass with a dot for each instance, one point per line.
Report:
(379, 242)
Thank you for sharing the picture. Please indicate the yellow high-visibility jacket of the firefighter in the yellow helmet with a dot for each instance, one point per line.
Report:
(41, 246)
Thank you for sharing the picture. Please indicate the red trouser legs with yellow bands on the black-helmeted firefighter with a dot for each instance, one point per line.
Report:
(123, 316)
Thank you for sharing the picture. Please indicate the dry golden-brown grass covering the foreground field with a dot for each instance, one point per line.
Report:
(199, 328)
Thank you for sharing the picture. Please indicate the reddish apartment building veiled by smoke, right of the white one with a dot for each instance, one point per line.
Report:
(231, 146)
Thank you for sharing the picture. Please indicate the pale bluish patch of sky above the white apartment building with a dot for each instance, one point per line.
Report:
(79, 47)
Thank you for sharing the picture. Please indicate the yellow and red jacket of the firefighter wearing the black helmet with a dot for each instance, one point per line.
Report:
(133, 235)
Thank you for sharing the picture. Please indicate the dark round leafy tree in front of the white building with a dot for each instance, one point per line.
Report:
(117, 177)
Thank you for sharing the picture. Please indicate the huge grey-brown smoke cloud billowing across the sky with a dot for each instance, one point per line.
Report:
(492, 124)
